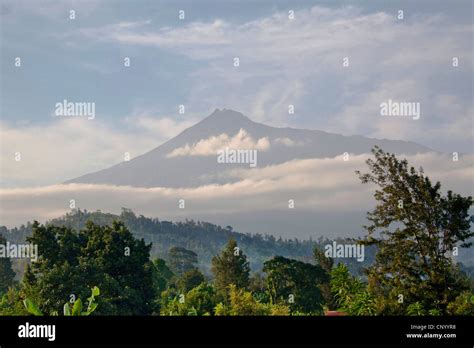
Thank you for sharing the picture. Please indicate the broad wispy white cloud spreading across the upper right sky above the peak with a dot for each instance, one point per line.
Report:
(291, 61)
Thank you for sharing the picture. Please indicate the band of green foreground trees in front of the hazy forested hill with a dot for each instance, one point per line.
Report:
(111, 259)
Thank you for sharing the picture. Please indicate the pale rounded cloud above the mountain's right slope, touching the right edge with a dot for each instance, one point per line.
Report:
(443, 117)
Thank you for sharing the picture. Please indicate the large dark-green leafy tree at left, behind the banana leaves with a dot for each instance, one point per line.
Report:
(70, 263)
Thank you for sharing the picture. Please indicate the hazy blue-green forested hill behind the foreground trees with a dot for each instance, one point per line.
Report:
(204, 238)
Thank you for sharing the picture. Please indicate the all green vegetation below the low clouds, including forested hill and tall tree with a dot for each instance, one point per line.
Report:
(146, 267)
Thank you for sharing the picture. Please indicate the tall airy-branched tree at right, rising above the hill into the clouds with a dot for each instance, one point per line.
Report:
(415, 228)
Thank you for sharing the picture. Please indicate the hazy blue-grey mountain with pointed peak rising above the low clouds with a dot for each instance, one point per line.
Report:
(159, 168)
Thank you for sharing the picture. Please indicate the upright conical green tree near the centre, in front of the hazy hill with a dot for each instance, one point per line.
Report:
(230, 267)
